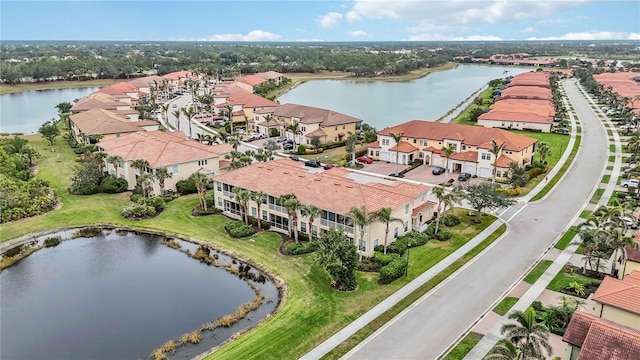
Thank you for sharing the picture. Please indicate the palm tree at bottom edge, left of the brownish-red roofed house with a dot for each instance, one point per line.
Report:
(527, 334)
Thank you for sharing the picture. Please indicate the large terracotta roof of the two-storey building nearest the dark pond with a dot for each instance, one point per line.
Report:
(328, 190)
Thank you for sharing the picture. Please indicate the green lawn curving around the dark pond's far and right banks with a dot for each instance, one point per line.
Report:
(310, 310)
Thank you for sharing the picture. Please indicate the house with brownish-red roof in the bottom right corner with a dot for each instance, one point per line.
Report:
(592, 338)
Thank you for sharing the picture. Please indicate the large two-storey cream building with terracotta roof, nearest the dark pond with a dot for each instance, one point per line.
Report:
(334, 191)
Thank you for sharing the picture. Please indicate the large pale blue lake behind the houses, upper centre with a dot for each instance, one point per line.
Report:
(388, 103)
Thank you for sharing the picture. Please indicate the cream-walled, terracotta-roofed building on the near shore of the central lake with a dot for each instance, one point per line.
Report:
(327, 125)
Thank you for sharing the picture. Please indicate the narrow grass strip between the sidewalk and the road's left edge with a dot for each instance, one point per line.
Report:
(374, 325)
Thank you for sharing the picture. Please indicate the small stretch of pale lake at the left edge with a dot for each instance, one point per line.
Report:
(25, 111)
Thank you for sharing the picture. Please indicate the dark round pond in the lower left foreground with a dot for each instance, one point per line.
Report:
(120, 295)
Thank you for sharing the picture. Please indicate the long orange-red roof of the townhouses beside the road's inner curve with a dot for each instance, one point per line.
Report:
(470, 135)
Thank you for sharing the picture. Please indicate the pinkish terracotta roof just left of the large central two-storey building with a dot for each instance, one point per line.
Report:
(161, 148)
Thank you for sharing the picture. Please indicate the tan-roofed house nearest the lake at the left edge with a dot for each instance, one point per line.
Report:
(87, 126)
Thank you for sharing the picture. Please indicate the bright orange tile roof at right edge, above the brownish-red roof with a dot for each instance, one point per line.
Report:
(618, 293)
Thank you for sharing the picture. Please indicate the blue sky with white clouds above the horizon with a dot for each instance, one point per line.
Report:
(304, 20)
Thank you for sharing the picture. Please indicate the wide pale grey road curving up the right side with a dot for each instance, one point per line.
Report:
(435, 321)
